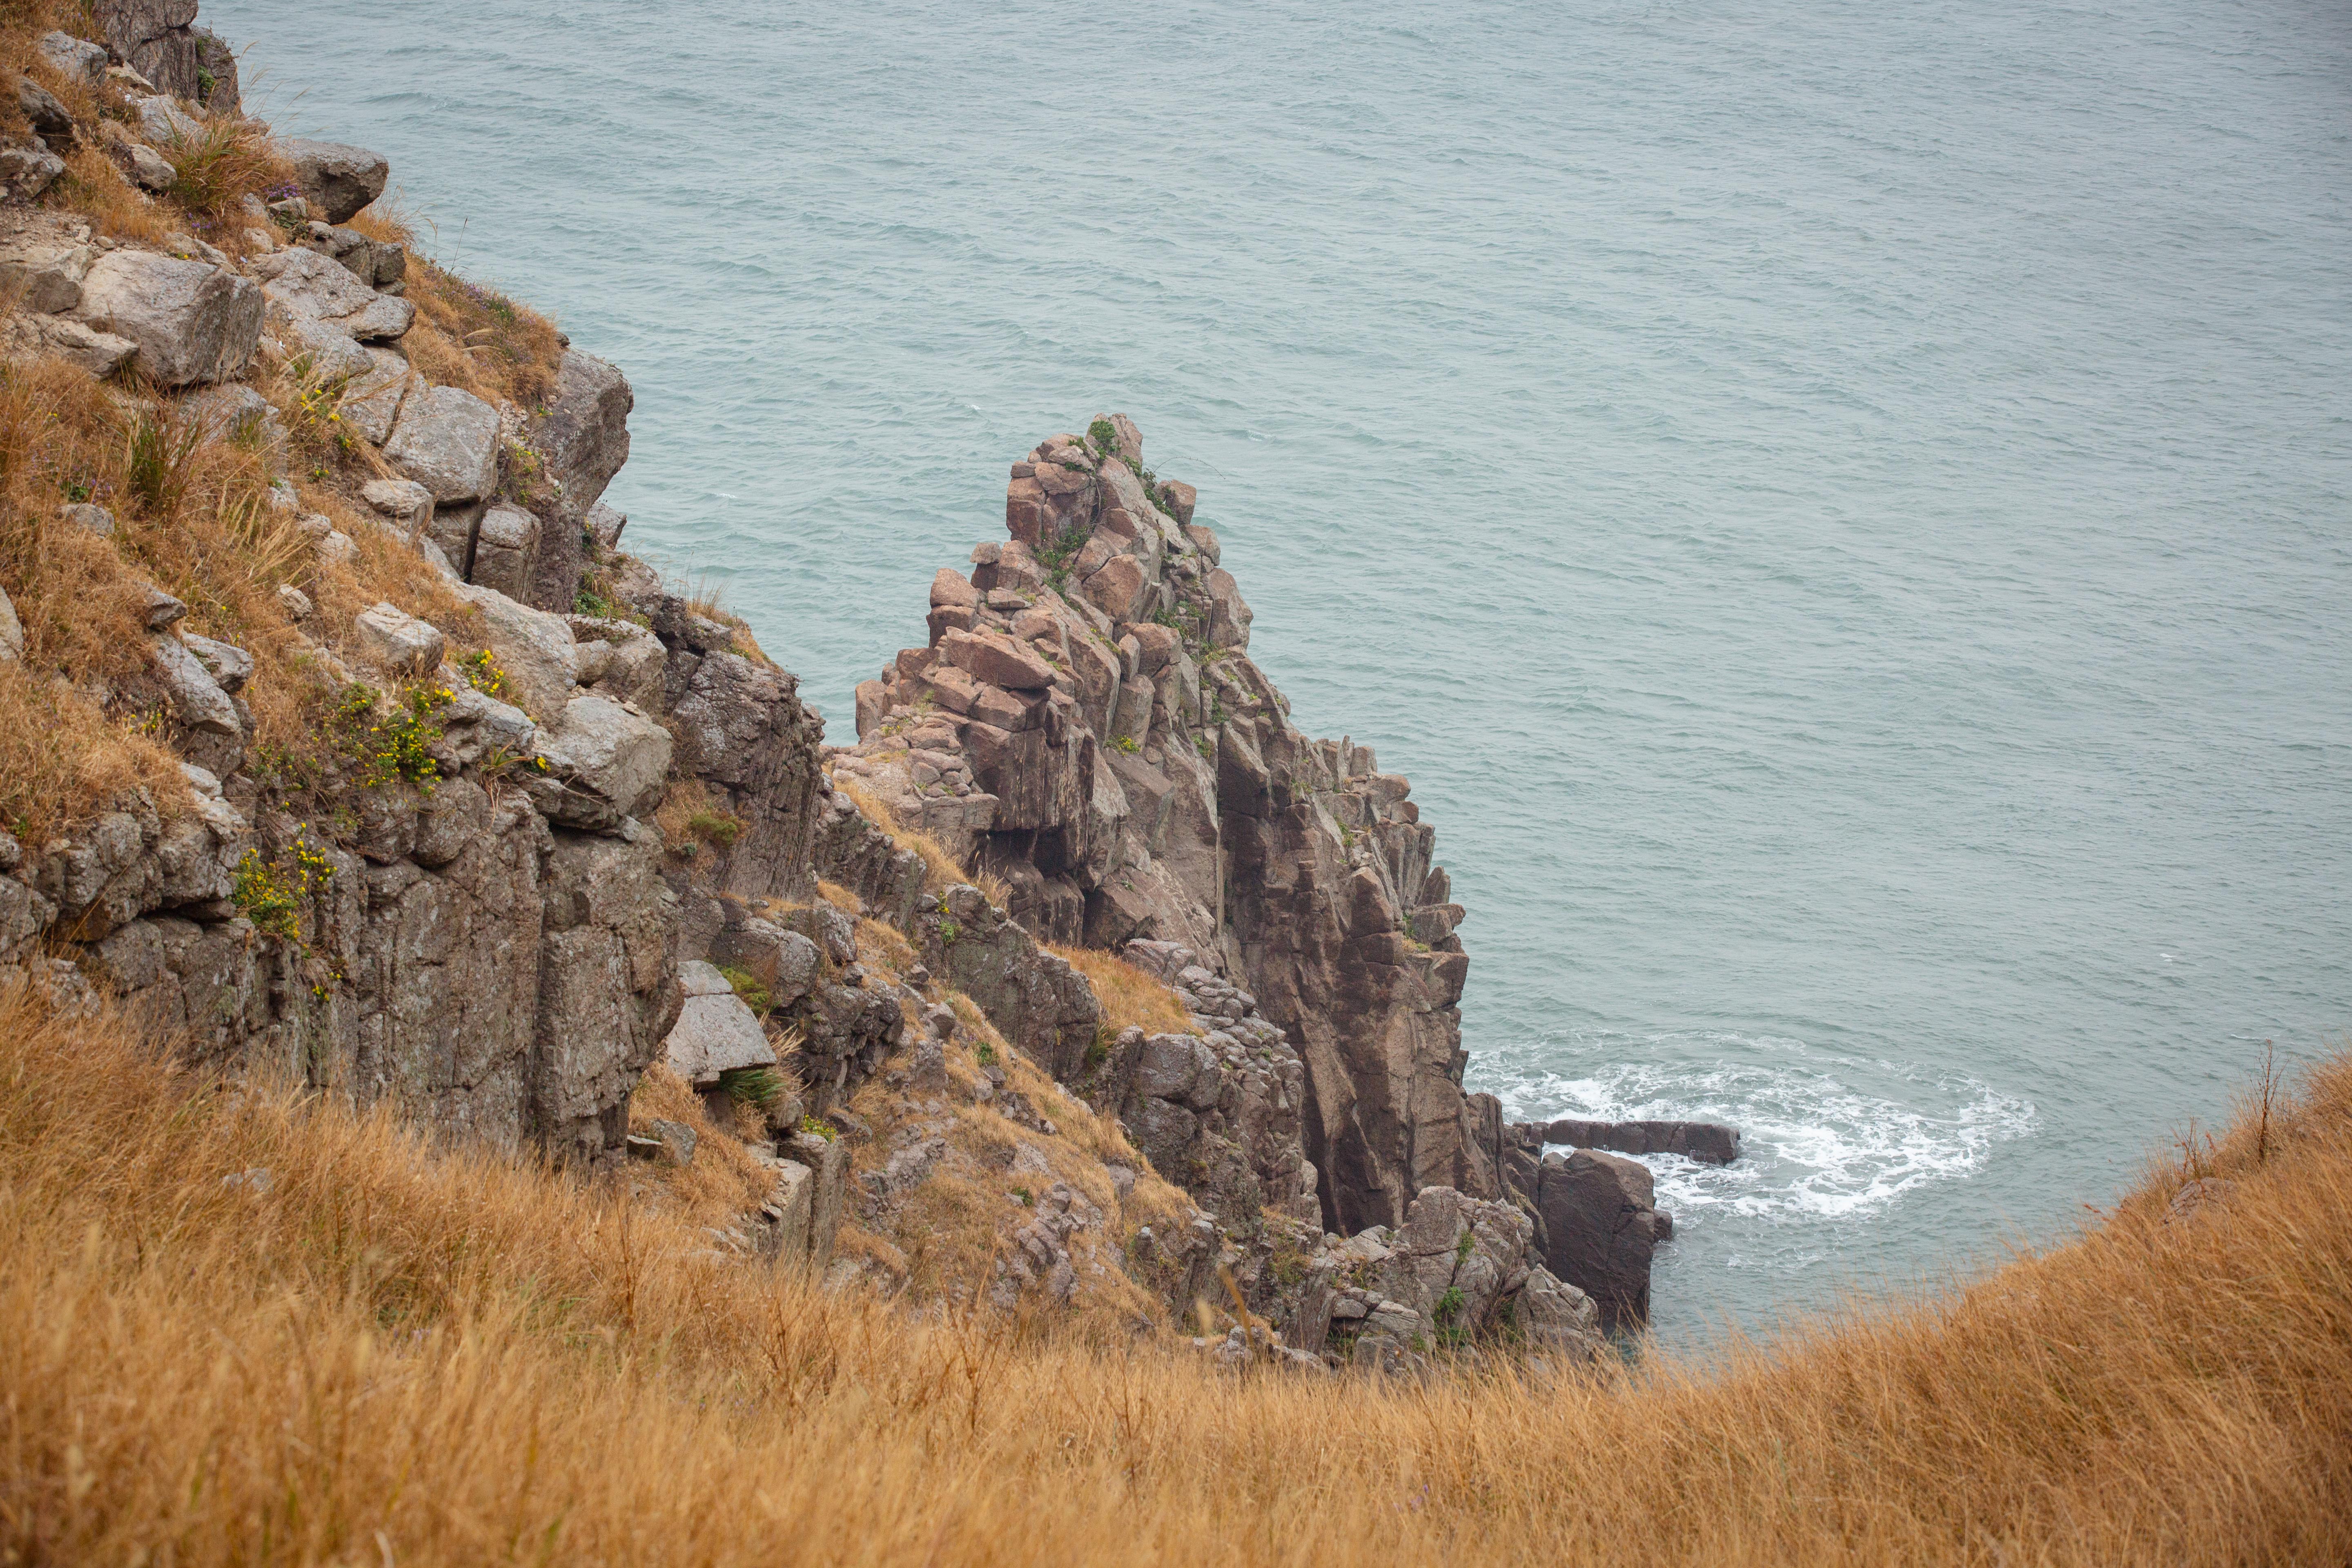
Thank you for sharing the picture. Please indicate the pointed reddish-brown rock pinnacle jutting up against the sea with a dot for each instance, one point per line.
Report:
(1090, 728)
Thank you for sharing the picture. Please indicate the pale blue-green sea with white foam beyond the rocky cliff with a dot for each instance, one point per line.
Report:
(1838, 507)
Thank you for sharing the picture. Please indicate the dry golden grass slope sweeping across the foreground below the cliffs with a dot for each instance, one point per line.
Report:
(394, 1355)
